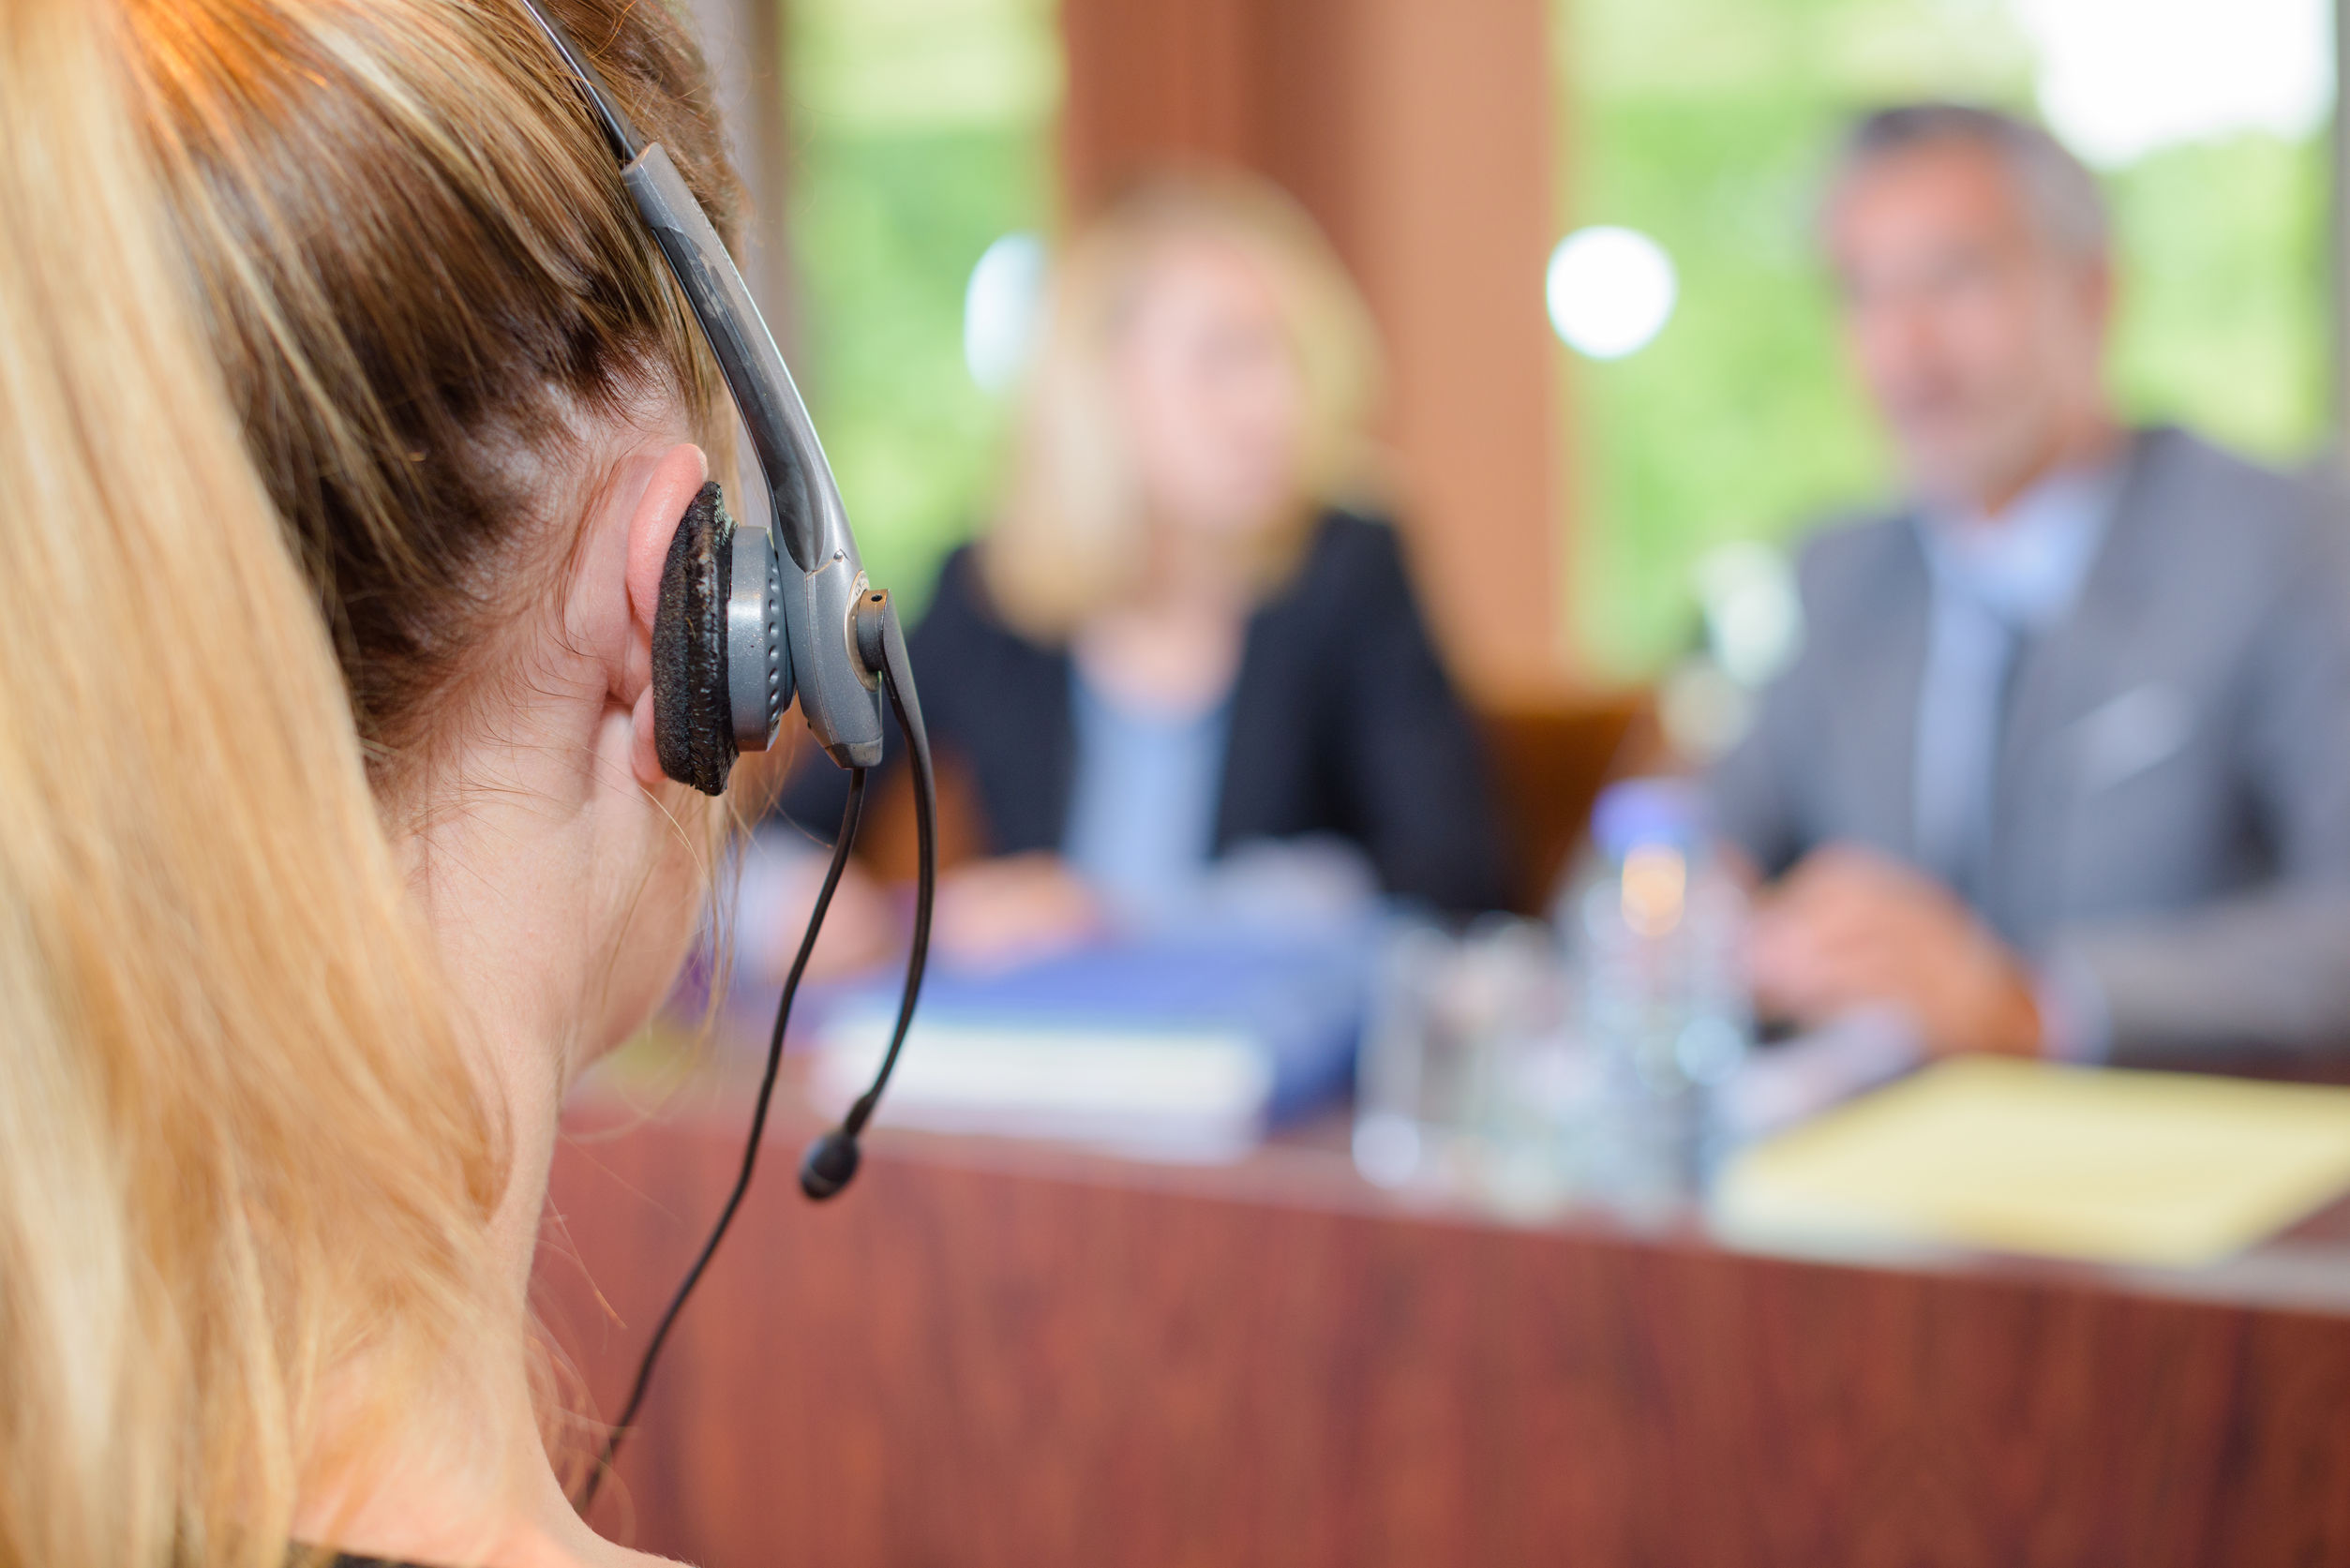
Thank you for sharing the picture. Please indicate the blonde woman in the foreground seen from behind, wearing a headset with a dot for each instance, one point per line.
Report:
(347, 417)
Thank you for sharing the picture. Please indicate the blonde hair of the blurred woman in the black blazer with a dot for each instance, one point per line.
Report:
(1070, 535)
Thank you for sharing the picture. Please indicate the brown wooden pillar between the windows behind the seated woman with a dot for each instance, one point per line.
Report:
(1421, 135)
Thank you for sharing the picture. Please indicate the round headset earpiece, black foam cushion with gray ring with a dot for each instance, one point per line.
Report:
(723, 671)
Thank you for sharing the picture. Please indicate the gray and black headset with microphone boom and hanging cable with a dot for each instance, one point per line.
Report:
(746, 622)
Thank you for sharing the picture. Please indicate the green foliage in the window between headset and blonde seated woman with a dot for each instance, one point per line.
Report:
(922, 130)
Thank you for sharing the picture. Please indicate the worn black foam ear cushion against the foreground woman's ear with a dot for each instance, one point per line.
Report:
(692, 713)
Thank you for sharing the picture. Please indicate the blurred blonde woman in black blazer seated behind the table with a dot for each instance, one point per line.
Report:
(1181, 636)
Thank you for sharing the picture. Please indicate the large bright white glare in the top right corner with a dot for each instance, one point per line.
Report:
(2126, 79)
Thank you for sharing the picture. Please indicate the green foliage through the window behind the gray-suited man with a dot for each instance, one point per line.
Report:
(1707, 123)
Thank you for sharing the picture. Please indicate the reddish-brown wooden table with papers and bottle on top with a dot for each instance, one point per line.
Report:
(1016, 1355)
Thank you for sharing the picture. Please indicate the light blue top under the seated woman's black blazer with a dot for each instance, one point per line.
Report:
(1143, 803)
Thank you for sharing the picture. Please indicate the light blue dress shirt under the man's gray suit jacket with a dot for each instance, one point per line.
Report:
(1999, 582)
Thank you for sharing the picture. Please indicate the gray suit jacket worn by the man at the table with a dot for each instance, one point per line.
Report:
(2173, 808)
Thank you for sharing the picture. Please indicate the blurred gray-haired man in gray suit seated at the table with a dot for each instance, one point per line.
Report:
(2064, 765)
